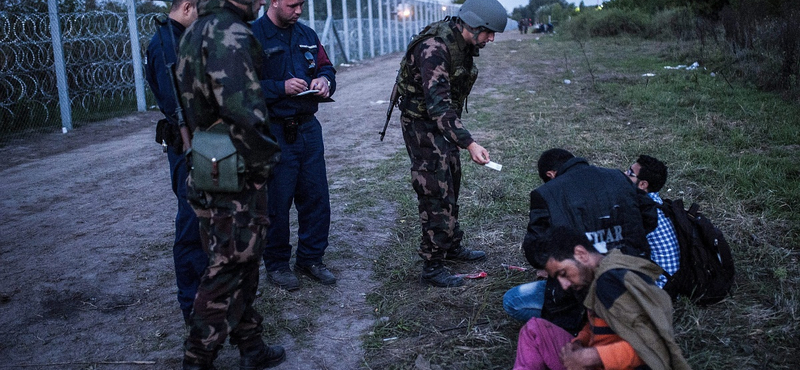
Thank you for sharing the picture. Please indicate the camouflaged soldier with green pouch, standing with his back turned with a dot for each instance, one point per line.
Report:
(218, 81)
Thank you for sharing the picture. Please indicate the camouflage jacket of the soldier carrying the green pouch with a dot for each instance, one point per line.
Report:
(217, 78)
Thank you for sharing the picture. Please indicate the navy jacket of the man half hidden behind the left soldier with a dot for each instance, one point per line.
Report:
(161, 52)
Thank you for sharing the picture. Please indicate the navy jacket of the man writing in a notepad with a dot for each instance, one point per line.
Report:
(303, 57)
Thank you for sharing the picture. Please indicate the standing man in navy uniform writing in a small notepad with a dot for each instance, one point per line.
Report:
(295, 62)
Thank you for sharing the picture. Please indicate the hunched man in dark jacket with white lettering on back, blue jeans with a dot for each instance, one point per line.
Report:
(600, 202)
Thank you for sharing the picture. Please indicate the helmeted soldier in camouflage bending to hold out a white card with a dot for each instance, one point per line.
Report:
(436, 75)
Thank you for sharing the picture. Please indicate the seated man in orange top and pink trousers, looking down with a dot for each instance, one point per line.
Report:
(630, 319)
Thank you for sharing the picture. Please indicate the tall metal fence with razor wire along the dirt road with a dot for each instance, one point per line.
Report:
(60, 70)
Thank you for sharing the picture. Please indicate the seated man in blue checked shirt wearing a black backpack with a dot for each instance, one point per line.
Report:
(650, 174)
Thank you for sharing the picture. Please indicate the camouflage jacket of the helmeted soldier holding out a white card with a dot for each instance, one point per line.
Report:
(436, 75)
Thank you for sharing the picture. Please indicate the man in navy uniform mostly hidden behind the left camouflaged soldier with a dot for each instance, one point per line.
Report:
(187, 251)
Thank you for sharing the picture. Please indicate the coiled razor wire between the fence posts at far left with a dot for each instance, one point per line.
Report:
(96, 49)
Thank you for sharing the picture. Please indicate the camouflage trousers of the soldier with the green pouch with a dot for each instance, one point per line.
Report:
(232, 229)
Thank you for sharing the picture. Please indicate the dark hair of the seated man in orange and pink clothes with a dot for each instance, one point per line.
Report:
(559, 244)
